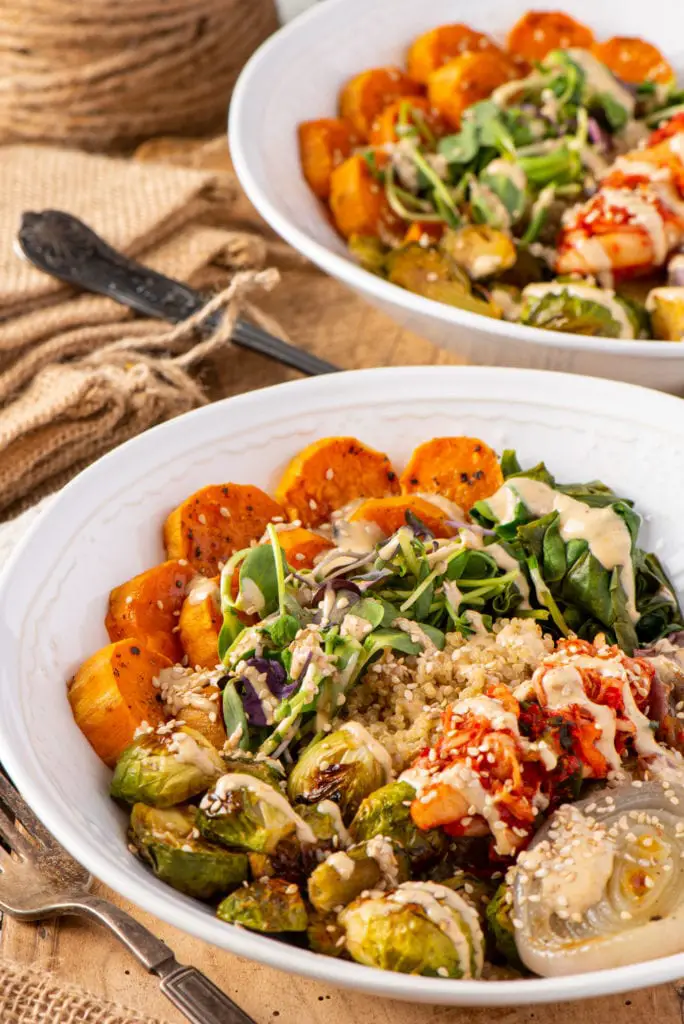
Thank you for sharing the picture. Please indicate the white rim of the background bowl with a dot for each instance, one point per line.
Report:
(241, 129)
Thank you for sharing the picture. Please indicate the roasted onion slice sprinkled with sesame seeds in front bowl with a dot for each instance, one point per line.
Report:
(603, 884)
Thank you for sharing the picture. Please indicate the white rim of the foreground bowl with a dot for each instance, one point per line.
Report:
(270, 952)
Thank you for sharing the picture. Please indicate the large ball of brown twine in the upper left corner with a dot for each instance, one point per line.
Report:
(104, 73)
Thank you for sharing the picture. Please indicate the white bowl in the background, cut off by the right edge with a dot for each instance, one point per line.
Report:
(297, 75)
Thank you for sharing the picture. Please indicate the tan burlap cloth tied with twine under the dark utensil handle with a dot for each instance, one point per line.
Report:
(79, 374)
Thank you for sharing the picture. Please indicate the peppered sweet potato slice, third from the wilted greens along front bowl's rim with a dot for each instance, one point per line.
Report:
(217, 522)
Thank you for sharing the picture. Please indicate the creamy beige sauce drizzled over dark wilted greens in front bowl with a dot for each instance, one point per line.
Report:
(607, 535)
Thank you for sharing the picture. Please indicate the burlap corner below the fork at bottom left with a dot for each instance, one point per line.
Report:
(29, 998)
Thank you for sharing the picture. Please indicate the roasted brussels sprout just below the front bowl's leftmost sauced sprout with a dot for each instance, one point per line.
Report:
(169, 842)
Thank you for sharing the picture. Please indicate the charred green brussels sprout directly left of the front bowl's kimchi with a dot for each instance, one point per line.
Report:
(388, 813)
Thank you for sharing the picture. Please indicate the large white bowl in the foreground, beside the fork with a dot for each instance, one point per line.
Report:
(107, 526)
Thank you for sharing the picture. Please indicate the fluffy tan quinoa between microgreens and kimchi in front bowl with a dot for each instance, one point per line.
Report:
(401, 700)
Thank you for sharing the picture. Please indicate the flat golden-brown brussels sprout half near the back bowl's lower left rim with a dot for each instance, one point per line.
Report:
(432, 274)
